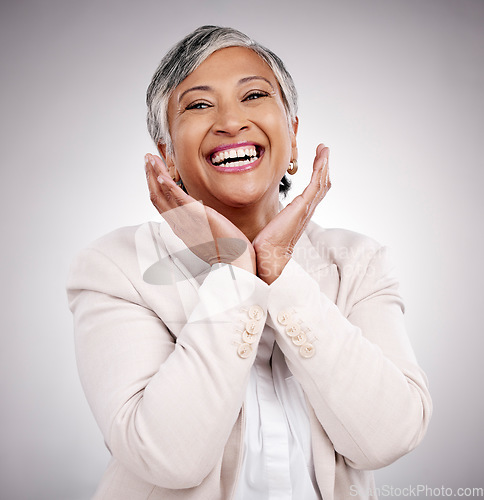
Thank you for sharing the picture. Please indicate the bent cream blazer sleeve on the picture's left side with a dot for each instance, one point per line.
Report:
(166, 406)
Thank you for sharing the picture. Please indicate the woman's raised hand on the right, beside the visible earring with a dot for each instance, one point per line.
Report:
(275, 244)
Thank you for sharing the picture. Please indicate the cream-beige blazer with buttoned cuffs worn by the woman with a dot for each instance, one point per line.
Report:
(158, 335)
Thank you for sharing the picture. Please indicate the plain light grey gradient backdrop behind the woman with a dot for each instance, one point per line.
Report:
(393, 87)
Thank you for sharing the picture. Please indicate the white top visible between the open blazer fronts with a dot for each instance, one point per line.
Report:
(278, 461)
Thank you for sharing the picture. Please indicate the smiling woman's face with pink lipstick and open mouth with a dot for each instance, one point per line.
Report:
(231, 139)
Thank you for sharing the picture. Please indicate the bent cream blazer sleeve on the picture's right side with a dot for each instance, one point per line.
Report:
(362, 379)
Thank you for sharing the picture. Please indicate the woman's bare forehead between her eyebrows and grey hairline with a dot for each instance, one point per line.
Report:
(227, 66)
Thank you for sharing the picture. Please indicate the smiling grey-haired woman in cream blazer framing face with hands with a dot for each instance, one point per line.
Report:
(236, 350)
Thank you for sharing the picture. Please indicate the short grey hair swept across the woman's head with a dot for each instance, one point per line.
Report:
(187, 55)
